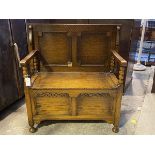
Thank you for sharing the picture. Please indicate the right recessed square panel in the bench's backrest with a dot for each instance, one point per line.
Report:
(94, 48)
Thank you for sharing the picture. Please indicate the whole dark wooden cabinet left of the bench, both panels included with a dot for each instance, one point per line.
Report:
(11, 81)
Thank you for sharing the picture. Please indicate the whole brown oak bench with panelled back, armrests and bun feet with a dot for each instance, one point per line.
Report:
(73, 72)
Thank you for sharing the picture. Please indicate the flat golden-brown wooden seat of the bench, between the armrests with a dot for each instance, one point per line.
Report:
(74, 80)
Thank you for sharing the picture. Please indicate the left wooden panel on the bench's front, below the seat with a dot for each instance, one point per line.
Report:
(53, 105)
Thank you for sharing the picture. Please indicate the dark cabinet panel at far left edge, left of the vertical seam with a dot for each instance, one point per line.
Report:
(8, 79)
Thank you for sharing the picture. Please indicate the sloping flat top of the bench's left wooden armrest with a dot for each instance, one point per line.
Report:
(26, 60)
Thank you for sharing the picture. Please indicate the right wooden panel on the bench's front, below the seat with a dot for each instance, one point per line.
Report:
(95, 104)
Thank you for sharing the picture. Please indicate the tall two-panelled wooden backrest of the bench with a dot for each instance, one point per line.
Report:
(59, 45)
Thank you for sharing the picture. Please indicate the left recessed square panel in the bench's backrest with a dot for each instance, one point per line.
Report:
(55, 48)
